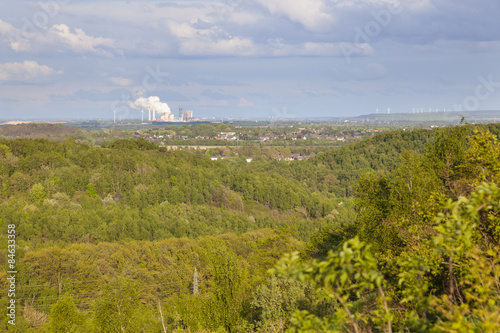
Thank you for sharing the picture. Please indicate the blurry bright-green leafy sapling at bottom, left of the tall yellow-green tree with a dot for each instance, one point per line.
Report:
(345, 275)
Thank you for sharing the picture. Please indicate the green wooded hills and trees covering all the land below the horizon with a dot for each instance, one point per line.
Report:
(397, 231)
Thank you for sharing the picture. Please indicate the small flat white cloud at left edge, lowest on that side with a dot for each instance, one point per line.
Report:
(28, 72)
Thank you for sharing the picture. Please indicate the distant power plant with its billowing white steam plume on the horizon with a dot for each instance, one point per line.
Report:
(156, 107)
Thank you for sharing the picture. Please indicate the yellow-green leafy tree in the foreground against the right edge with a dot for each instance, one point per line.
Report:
(465, 260)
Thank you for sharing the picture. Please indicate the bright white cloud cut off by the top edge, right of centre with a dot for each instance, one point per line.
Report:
(310, 13)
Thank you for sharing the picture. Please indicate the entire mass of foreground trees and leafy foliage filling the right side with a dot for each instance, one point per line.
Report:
(425, 254)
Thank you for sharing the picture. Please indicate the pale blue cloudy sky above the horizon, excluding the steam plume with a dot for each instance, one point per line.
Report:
(287, 59)
